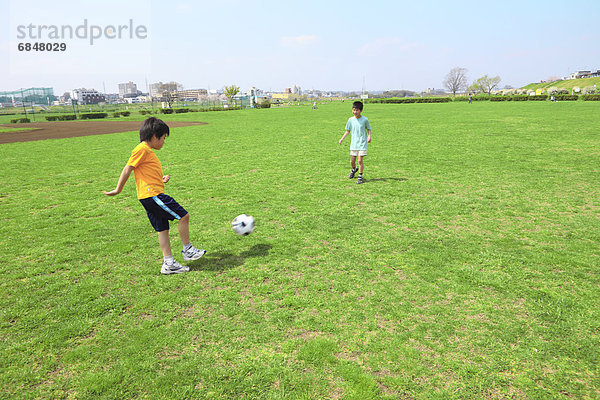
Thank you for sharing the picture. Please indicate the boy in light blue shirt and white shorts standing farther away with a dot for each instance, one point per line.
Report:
(360, 129)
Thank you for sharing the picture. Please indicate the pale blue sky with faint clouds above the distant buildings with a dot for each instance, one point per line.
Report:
(275, 44)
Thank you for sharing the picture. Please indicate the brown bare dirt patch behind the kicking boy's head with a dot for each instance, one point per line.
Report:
(67, 129)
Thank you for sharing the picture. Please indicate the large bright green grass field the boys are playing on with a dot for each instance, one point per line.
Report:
(466, 267)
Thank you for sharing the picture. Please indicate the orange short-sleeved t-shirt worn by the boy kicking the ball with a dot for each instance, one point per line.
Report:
(147, 170)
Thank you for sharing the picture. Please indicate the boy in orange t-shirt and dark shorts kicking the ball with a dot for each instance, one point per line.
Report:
(150, 184)
